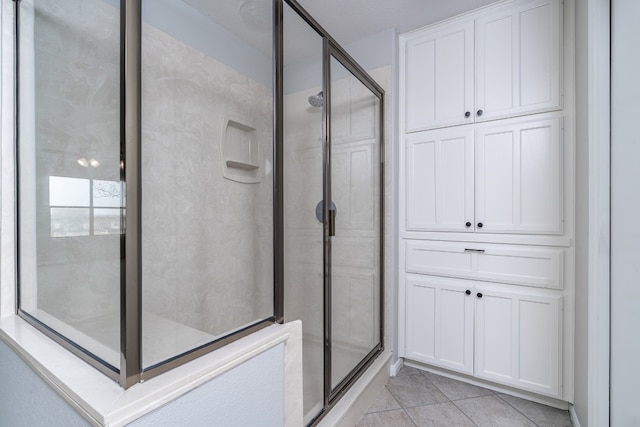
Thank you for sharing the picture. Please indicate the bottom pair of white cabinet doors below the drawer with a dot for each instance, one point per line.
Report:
(492, 332)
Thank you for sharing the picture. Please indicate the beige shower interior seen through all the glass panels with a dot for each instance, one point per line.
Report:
(207, 183)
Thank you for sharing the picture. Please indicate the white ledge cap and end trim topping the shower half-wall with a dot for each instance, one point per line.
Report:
(104, 403)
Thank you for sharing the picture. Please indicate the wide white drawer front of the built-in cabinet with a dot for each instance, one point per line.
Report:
(519, 265)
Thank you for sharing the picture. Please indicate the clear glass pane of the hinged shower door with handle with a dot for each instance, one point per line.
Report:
(355, 190)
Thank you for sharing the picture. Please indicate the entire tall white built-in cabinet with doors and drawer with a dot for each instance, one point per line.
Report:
(487, 196)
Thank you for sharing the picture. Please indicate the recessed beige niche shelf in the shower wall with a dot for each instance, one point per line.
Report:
(240, 152)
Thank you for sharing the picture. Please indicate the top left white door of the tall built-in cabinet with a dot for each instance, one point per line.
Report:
(438, 77)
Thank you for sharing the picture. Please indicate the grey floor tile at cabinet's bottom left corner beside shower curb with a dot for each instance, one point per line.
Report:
(411, 388)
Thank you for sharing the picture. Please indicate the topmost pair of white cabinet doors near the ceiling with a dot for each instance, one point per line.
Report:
(502, 62)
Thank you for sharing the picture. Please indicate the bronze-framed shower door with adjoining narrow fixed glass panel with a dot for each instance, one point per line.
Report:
(332, 209)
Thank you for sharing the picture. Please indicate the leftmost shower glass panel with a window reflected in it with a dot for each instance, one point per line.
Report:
(69, 136)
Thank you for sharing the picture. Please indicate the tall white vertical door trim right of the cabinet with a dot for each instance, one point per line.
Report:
(599, 215)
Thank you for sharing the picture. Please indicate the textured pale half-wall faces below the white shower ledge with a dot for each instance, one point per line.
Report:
(250, 395)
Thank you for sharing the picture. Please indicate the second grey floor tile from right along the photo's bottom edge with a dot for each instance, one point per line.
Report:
(491, 411)
